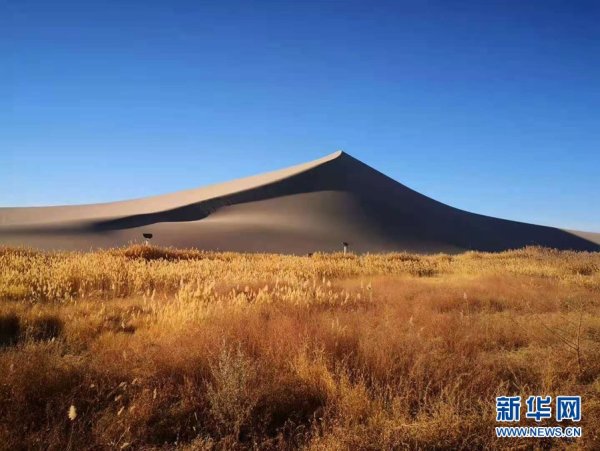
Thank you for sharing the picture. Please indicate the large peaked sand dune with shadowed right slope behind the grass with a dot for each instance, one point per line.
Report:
(306, 208)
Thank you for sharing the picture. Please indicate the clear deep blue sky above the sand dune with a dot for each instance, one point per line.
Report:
(492, 107)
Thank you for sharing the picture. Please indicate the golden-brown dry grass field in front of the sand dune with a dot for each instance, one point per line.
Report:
(149, 348)
